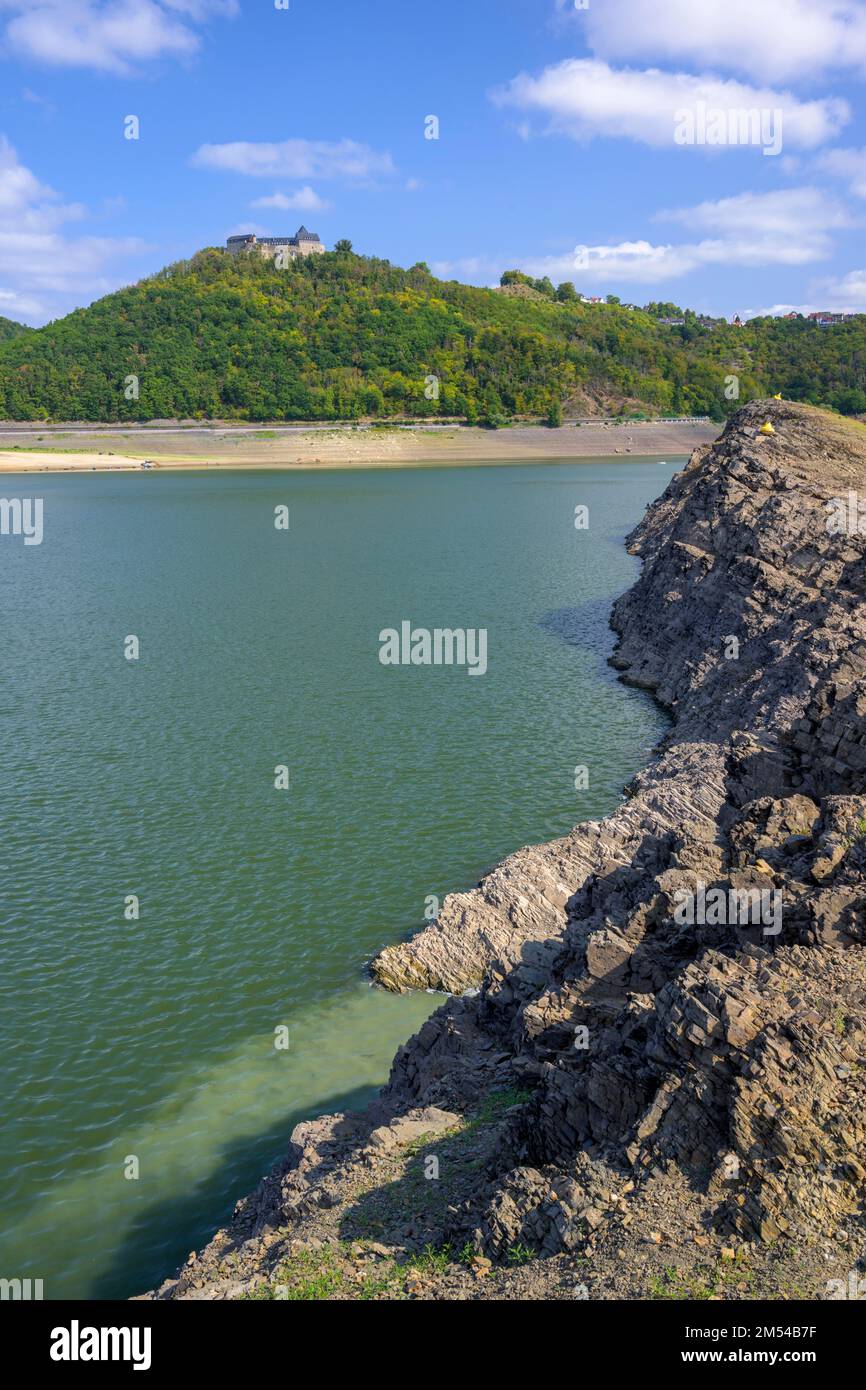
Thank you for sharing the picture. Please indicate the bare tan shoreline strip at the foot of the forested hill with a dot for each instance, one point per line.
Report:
(83, 451)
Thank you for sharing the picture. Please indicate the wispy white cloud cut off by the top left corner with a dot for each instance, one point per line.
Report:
(108, 35)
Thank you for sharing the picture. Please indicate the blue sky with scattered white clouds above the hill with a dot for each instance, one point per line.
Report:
(705, 152)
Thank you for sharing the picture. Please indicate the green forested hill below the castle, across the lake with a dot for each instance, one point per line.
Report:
(348, 337)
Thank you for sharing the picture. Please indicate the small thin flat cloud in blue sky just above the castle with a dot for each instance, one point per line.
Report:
(295, 159)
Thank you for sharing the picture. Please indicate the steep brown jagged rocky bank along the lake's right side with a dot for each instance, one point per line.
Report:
(642, 1096)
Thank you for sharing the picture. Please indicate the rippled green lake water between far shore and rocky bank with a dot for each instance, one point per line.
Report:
(261, 907)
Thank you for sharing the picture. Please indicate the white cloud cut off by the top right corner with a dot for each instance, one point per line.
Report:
(772, 41)
